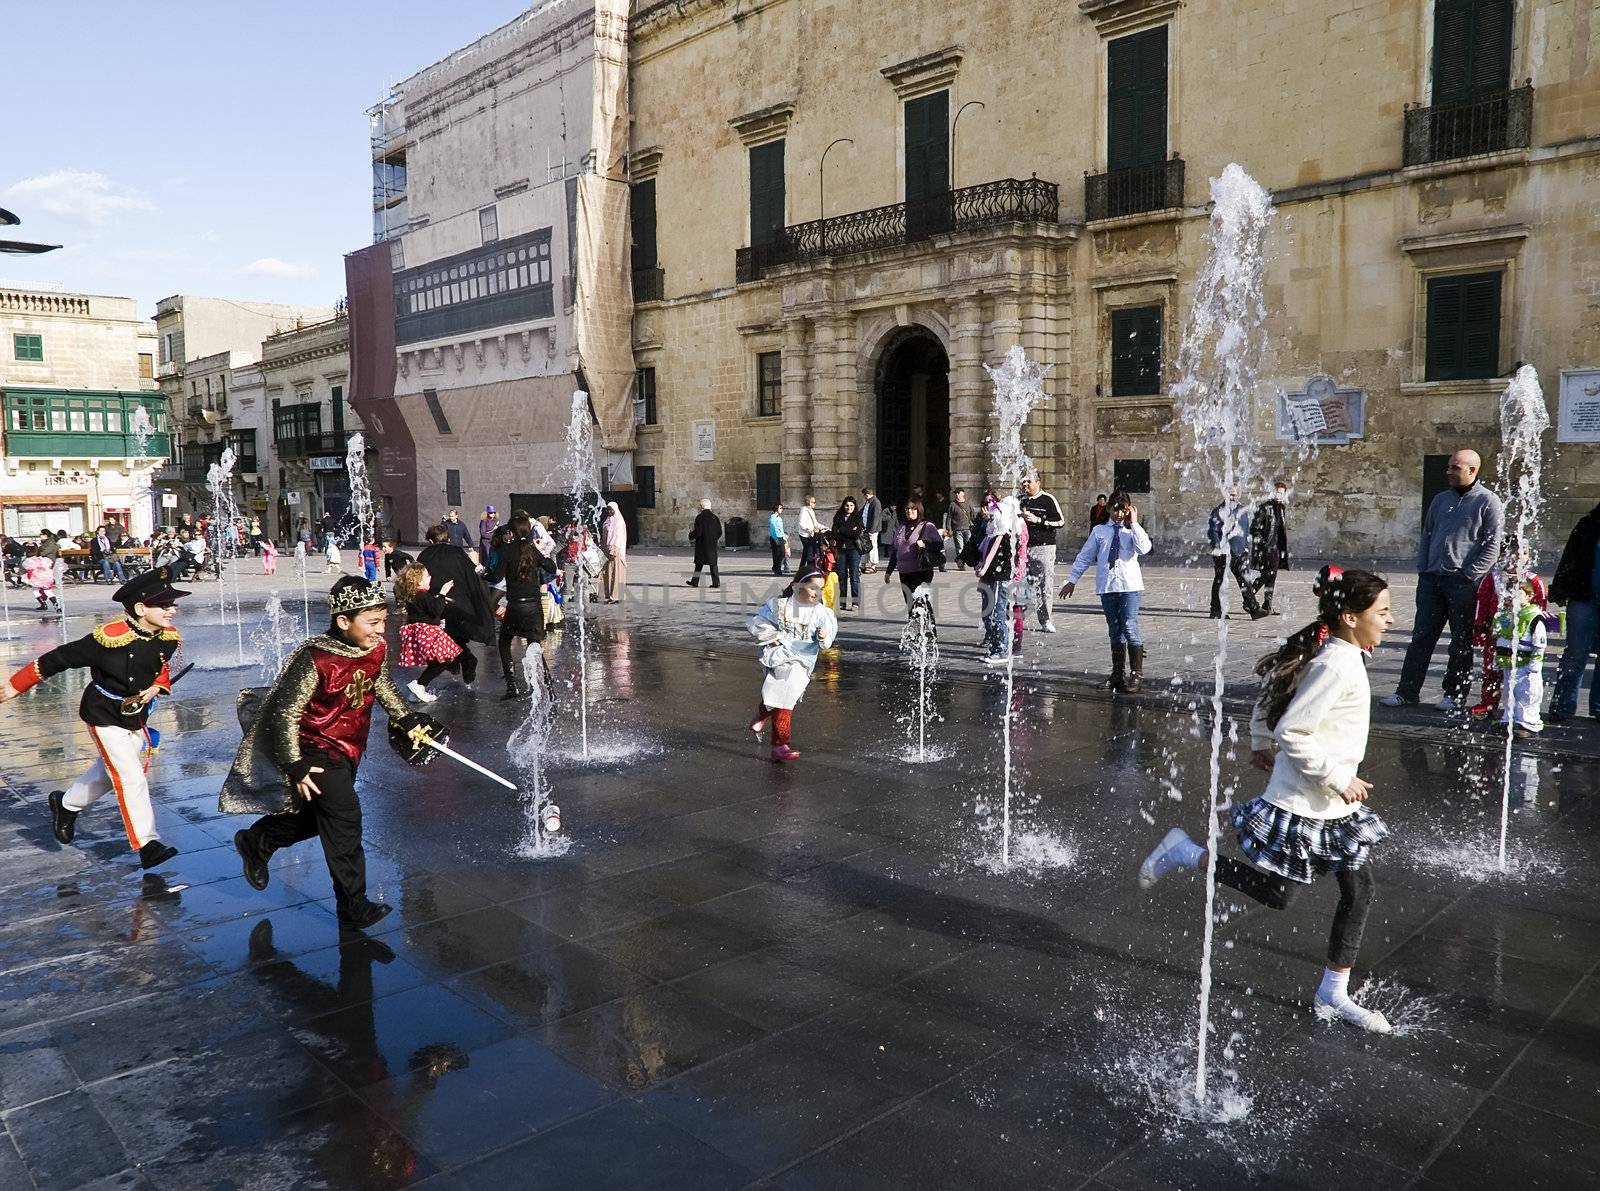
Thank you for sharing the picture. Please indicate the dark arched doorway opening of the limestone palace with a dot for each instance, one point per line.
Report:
(914, 415)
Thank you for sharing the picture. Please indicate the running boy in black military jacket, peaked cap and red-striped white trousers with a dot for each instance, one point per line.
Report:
(129, 668)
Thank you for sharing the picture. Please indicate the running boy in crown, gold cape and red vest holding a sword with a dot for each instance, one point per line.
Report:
(297, 764)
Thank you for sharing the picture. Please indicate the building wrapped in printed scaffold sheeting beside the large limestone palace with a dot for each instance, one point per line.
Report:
(498, 281)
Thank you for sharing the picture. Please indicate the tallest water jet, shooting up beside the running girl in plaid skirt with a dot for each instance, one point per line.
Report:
(1220, 399)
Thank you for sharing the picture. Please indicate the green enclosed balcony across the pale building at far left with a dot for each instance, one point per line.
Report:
(86, 425)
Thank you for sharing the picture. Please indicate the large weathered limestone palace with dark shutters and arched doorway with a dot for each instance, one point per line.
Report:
(1038, 174)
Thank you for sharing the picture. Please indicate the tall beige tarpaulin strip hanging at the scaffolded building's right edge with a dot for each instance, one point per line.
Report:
(604, 316)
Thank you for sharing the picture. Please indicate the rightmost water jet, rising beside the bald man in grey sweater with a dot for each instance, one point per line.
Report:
(1524, 422)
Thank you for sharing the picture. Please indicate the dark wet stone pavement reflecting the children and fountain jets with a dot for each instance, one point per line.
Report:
(801, 977)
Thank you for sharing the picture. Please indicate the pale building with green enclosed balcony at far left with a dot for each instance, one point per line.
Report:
(84, 427)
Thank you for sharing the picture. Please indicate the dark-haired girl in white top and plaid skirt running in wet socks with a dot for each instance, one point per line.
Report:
(1314, 708)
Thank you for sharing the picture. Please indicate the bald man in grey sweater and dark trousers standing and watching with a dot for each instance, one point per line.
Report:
(1462, 540)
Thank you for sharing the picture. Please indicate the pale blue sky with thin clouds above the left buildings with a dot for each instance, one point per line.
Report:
(207, 148)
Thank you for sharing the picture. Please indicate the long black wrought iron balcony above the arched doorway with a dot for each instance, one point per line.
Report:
(970, 209)
